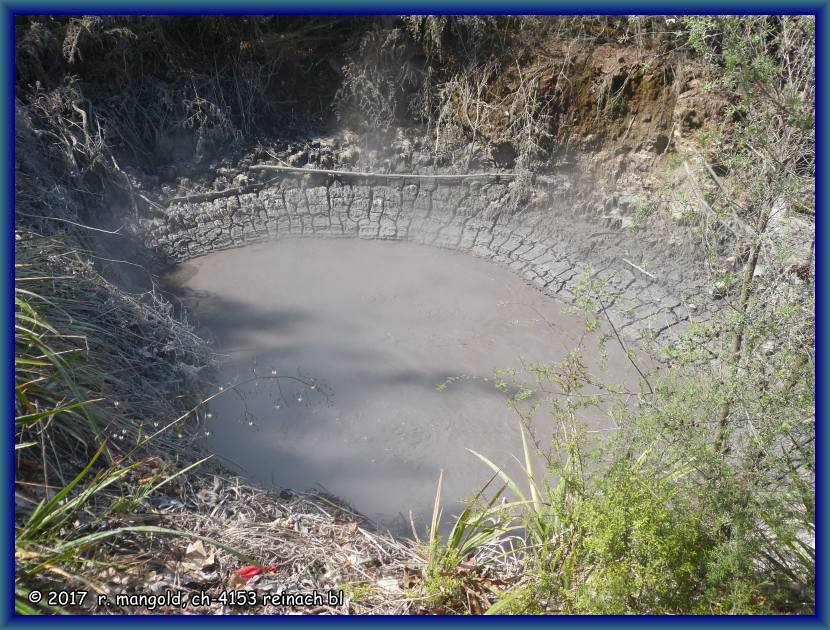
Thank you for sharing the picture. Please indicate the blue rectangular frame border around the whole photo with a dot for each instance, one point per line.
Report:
(8, 10)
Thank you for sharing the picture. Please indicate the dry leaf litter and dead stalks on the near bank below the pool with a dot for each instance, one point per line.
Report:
(309, 542)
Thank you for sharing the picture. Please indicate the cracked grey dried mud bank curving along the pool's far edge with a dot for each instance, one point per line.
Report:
(549, 243)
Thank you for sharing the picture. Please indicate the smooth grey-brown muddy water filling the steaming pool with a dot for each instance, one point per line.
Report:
(343, 347)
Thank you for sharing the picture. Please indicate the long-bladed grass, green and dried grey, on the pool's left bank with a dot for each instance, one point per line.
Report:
(77, 445)
